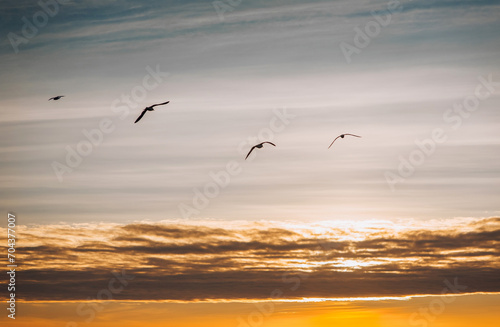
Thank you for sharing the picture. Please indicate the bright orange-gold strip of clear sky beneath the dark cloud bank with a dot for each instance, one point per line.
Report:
(456, 312)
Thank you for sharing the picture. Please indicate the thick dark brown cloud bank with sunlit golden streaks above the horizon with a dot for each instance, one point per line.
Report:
(231, 261)
